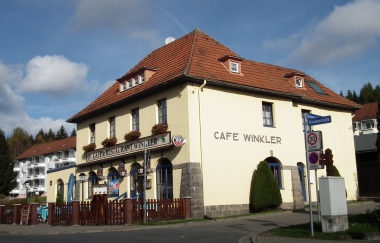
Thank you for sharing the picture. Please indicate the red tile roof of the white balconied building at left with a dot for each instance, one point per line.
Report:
(48, 148)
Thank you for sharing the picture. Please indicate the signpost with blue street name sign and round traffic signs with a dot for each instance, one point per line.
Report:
(313, 143)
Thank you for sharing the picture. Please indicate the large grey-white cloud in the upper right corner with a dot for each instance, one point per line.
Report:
(350, 30)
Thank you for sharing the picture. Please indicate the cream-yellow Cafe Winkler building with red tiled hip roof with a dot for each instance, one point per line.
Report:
(227, 112)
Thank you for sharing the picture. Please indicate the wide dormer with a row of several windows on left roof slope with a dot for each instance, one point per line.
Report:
(135, 78)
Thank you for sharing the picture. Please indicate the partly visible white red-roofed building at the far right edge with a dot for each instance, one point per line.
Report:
(365, 119)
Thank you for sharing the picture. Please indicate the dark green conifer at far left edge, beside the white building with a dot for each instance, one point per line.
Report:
(8, 176)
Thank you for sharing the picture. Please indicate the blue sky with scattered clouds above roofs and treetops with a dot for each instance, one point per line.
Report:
(56, 57)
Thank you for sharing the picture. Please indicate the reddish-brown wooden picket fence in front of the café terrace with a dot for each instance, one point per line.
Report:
(119, 212)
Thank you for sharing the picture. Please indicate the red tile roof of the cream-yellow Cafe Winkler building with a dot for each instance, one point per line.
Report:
(197, 55)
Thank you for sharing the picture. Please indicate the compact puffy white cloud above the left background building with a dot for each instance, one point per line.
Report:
(54, 76)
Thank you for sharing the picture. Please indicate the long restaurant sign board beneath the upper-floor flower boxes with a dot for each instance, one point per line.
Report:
(137, 146)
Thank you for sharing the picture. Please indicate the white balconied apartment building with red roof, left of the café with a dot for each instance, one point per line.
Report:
(32, 165)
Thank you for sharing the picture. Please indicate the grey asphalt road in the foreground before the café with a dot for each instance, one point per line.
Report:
(226, 230)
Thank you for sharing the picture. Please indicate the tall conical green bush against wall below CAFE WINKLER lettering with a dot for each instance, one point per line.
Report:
(264, 194)
